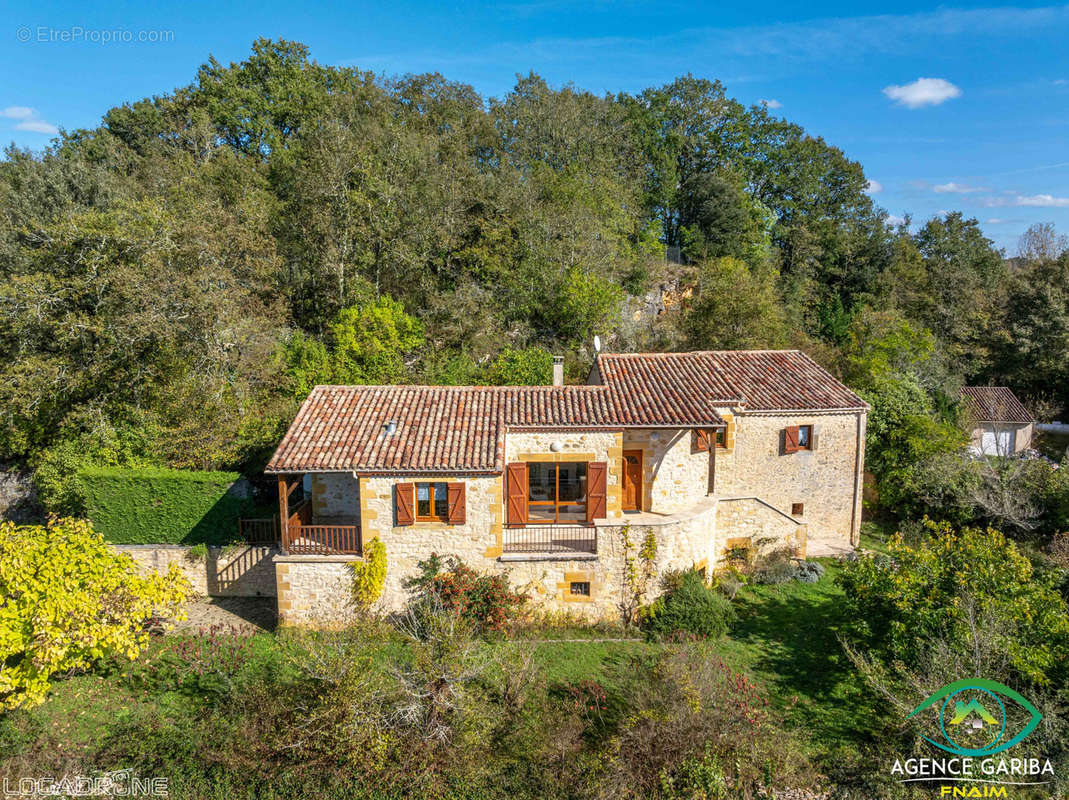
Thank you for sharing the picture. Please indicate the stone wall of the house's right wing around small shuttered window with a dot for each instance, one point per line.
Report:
(825, 481)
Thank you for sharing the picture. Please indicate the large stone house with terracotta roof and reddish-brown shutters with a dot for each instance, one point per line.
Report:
(710, 453)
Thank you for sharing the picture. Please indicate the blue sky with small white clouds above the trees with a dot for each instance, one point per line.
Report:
(985, 131)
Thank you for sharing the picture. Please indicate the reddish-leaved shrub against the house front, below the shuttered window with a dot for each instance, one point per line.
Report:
(450, 584)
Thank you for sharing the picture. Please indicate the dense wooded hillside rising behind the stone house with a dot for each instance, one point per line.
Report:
(176, 280)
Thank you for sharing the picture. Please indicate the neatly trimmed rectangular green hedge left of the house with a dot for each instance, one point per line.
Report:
(159, 506)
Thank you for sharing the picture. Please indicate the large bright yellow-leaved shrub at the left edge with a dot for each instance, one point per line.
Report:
(70, 602)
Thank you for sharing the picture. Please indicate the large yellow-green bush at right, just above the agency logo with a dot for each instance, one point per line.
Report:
(936, 588)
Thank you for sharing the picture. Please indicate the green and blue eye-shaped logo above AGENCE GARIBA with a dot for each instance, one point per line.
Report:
(974, 719)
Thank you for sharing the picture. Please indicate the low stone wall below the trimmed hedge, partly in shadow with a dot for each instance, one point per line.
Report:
(235, 572)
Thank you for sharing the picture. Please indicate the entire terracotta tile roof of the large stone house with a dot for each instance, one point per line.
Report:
(462, 428)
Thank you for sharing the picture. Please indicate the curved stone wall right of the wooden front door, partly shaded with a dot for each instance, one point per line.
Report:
(675, 478)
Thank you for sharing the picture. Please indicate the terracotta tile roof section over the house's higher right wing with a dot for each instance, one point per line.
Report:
(760, 380)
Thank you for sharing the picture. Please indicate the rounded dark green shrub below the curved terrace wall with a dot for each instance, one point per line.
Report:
(688, 605)
